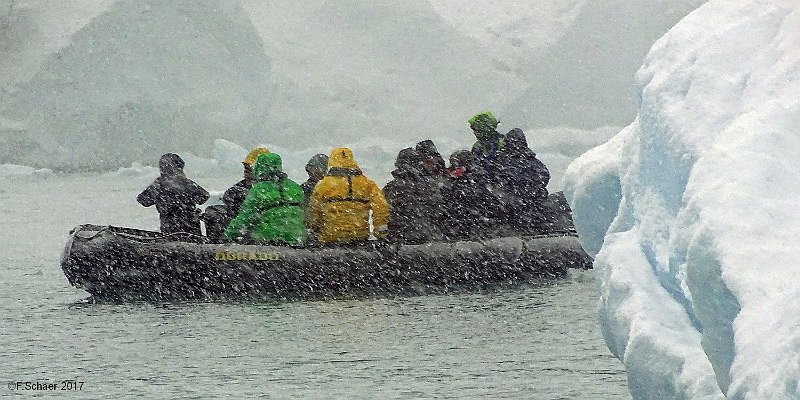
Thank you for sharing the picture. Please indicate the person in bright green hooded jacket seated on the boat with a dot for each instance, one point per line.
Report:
(273, 210)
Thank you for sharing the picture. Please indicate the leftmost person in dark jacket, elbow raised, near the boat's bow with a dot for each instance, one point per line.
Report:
(175, 196)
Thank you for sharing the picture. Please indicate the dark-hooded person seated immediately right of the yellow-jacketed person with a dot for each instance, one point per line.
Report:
(415, 201)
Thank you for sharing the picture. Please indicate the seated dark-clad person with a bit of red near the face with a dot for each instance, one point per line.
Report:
(471, 210)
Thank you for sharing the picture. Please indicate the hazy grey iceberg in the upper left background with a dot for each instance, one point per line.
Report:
(140, 79)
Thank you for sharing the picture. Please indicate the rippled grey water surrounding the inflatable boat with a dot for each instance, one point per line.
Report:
(533, 341)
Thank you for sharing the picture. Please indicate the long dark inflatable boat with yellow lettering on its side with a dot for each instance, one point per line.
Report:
(123, 264)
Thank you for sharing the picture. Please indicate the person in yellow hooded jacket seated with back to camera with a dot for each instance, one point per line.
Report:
(341, 202)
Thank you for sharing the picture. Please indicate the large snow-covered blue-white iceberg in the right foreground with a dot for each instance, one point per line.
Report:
(692, 210)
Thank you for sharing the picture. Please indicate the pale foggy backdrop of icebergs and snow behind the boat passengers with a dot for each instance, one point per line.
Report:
(94, 85)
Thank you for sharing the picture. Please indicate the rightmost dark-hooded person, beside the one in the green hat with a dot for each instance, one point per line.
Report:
(523, 182)
